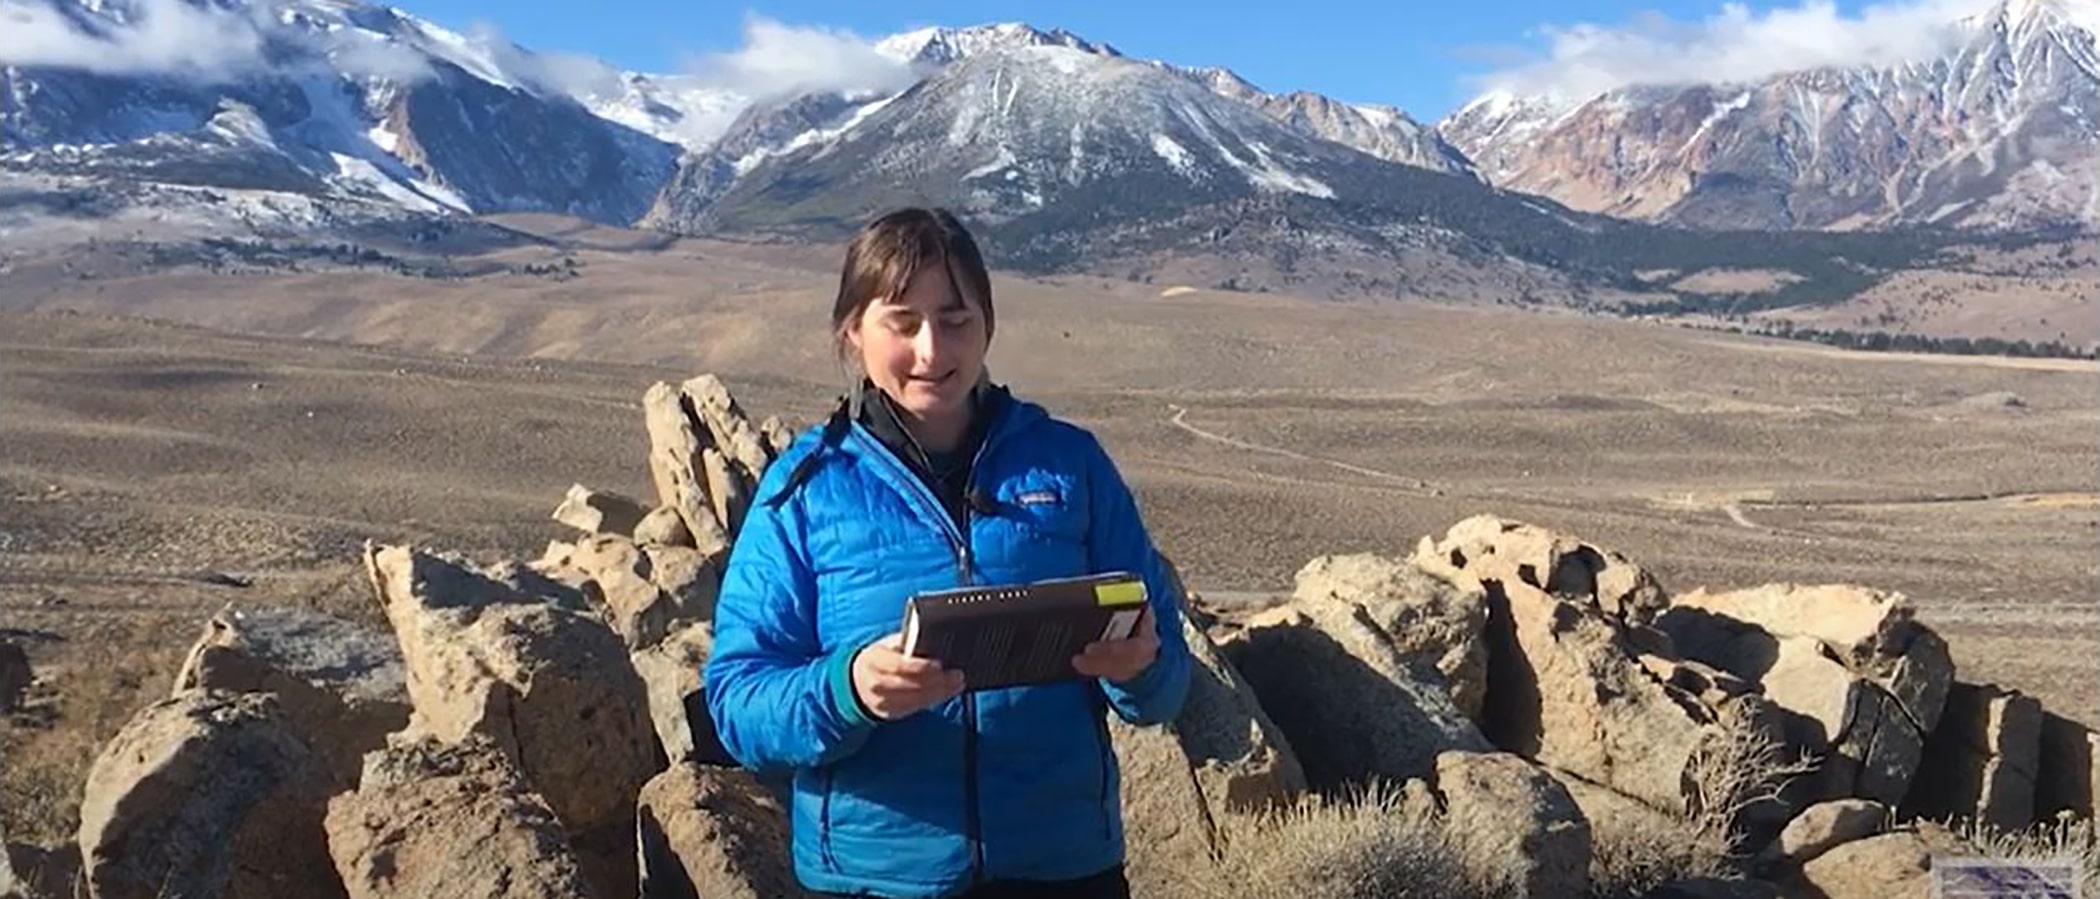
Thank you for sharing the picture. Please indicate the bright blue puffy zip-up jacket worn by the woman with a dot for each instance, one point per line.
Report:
(994, 785)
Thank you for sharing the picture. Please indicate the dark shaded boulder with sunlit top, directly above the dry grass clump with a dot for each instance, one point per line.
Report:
(1345, 698)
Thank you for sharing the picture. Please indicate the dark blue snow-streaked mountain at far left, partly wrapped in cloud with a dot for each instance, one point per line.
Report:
(341, 104)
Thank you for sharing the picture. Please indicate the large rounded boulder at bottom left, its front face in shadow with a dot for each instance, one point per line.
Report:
(207, 795)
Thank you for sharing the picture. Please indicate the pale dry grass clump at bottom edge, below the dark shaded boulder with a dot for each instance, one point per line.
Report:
(1368, 843)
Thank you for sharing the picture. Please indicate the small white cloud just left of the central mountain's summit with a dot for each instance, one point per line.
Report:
(782, 60)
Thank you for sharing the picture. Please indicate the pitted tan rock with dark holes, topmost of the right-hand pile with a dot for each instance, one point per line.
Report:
(1557, 564)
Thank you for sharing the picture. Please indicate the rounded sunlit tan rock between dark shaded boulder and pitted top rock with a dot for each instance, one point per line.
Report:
(1429, 621)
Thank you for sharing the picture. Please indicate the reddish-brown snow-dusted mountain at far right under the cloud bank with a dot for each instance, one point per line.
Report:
(2004, 131)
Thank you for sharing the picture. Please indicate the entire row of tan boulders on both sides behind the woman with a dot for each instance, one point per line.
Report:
(1505, 713)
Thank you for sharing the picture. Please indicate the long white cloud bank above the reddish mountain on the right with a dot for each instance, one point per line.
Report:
(1736, 45)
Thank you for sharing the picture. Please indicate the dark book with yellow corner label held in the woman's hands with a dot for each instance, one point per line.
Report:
(1020, 635)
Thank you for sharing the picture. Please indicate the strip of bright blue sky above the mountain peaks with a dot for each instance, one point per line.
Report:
(1419, 56)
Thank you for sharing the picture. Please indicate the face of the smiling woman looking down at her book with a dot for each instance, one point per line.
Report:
(925, 348)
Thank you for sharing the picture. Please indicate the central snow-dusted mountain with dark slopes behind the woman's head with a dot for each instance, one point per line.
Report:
(1070, 156)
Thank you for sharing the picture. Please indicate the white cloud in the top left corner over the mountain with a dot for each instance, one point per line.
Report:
(167, 37)
